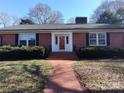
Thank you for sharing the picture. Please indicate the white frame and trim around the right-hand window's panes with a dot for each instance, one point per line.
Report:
(97, 39)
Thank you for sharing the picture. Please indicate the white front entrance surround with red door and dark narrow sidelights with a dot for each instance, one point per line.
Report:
(62, 42)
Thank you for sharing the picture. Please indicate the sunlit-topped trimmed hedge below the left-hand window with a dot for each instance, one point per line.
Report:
(23, 52)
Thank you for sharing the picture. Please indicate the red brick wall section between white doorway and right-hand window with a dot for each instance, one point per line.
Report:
(79, 39)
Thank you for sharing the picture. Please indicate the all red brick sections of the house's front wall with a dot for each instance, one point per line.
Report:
(79, 39)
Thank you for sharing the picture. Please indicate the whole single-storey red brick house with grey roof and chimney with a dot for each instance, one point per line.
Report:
(64, 37)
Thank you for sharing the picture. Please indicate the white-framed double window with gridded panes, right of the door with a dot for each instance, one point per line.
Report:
(97, 39)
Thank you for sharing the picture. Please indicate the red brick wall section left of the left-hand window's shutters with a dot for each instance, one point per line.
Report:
(7, 39)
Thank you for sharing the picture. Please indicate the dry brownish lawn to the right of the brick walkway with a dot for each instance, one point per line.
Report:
(101, 76)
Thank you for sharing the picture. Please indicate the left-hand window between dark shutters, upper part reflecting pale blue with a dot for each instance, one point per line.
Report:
(27, 39)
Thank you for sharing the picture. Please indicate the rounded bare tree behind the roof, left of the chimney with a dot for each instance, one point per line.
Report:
(43, 14)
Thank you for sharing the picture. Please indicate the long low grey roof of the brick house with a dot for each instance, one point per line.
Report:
(63, 26)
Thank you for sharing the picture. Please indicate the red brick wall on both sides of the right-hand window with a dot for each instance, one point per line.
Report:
(116, 39)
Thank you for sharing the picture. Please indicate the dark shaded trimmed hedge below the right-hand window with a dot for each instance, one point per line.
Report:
(100, 52)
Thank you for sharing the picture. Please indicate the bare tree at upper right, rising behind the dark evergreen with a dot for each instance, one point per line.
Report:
(107, 5)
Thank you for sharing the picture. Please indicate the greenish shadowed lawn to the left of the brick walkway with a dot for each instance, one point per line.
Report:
(24, 76)
